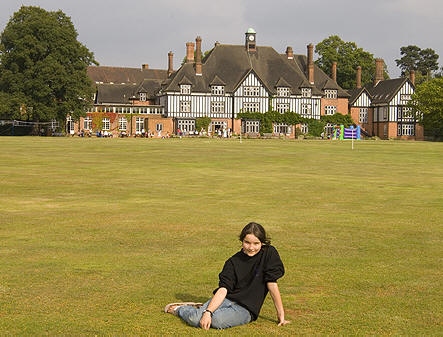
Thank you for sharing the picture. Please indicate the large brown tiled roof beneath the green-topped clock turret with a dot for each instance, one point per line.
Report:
(229, 64)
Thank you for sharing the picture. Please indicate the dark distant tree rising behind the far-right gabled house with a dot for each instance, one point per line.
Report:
(425, 61)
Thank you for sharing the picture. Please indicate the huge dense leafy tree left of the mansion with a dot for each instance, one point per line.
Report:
(43, 67)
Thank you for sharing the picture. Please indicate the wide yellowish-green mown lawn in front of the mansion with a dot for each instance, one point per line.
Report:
(97, 235)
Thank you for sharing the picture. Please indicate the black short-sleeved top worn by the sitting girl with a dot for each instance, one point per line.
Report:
(245, 277)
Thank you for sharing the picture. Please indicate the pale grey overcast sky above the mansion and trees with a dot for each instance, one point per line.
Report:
(132, 32)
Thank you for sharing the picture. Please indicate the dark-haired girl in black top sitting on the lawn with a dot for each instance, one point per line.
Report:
(244, 283)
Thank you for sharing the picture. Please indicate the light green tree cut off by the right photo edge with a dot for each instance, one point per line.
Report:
(427, 101)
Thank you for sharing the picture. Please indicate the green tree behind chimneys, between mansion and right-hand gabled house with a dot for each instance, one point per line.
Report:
(348, 57)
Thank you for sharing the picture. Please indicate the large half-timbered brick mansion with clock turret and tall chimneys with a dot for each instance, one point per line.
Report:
(230, 79)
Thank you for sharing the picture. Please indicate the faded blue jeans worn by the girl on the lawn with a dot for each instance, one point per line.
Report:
(227, 315)
